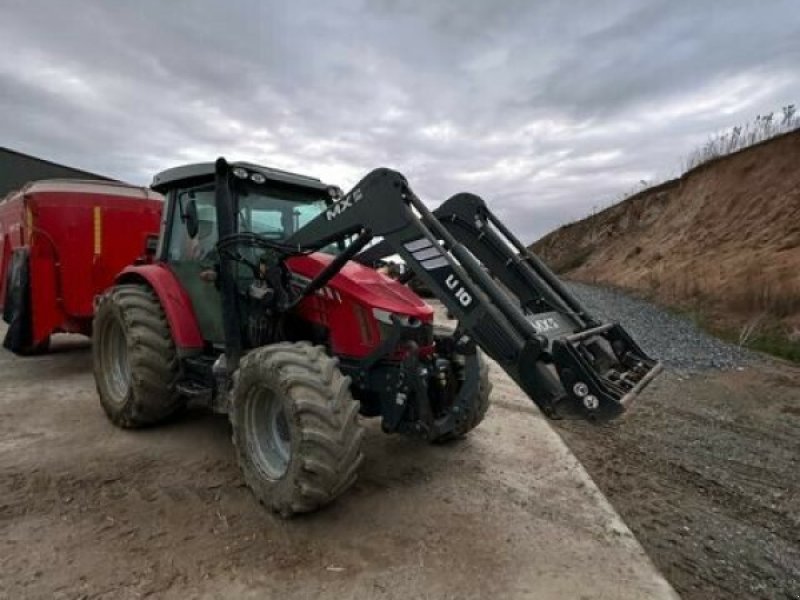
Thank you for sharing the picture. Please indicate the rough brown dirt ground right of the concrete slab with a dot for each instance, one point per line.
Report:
(706, 473)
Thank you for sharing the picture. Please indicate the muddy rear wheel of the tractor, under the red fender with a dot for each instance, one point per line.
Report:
(135, 363)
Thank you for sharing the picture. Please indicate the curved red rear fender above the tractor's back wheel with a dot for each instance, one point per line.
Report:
(174, 300)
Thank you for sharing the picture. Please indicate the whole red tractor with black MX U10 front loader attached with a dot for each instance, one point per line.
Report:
(263, 303)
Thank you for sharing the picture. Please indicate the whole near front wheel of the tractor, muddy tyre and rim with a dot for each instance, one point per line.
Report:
(295, 427)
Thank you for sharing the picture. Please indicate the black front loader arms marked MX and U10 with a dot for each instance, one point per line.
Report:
(537, 332)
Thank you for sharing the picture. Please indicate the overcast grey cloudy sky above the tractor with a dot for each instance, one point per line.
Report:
(548, 110)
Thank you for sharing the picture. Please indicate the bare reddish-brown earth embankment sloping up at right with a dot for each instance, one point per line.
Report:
(724, 239)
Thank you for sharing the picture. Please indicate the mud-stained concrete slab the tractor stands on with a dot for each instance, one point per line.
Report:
(91, 511)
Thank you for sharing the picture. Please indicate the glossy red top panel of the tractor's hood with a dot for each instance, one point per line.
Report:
(365, 285)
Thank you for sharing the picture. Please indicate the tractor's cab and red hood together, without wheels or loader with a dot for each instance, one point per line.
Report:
(225, 239)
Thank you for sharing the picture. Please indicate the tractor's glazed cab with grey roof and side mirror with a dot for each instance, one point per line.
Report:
(265, 202)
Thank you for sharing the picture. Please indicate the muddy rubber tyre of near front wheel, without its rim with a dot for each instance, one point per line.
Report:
(326, 451)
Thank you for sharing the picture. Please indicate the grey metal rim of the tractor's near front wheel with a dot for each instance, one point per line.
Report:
(269, 429)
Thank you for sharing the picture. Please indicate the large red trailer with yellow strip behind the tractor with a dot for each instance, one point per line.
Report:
(61, 244)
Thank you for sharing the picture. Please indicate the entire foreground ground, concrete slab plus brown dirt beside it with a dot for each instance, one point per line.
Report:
(704, 471)
